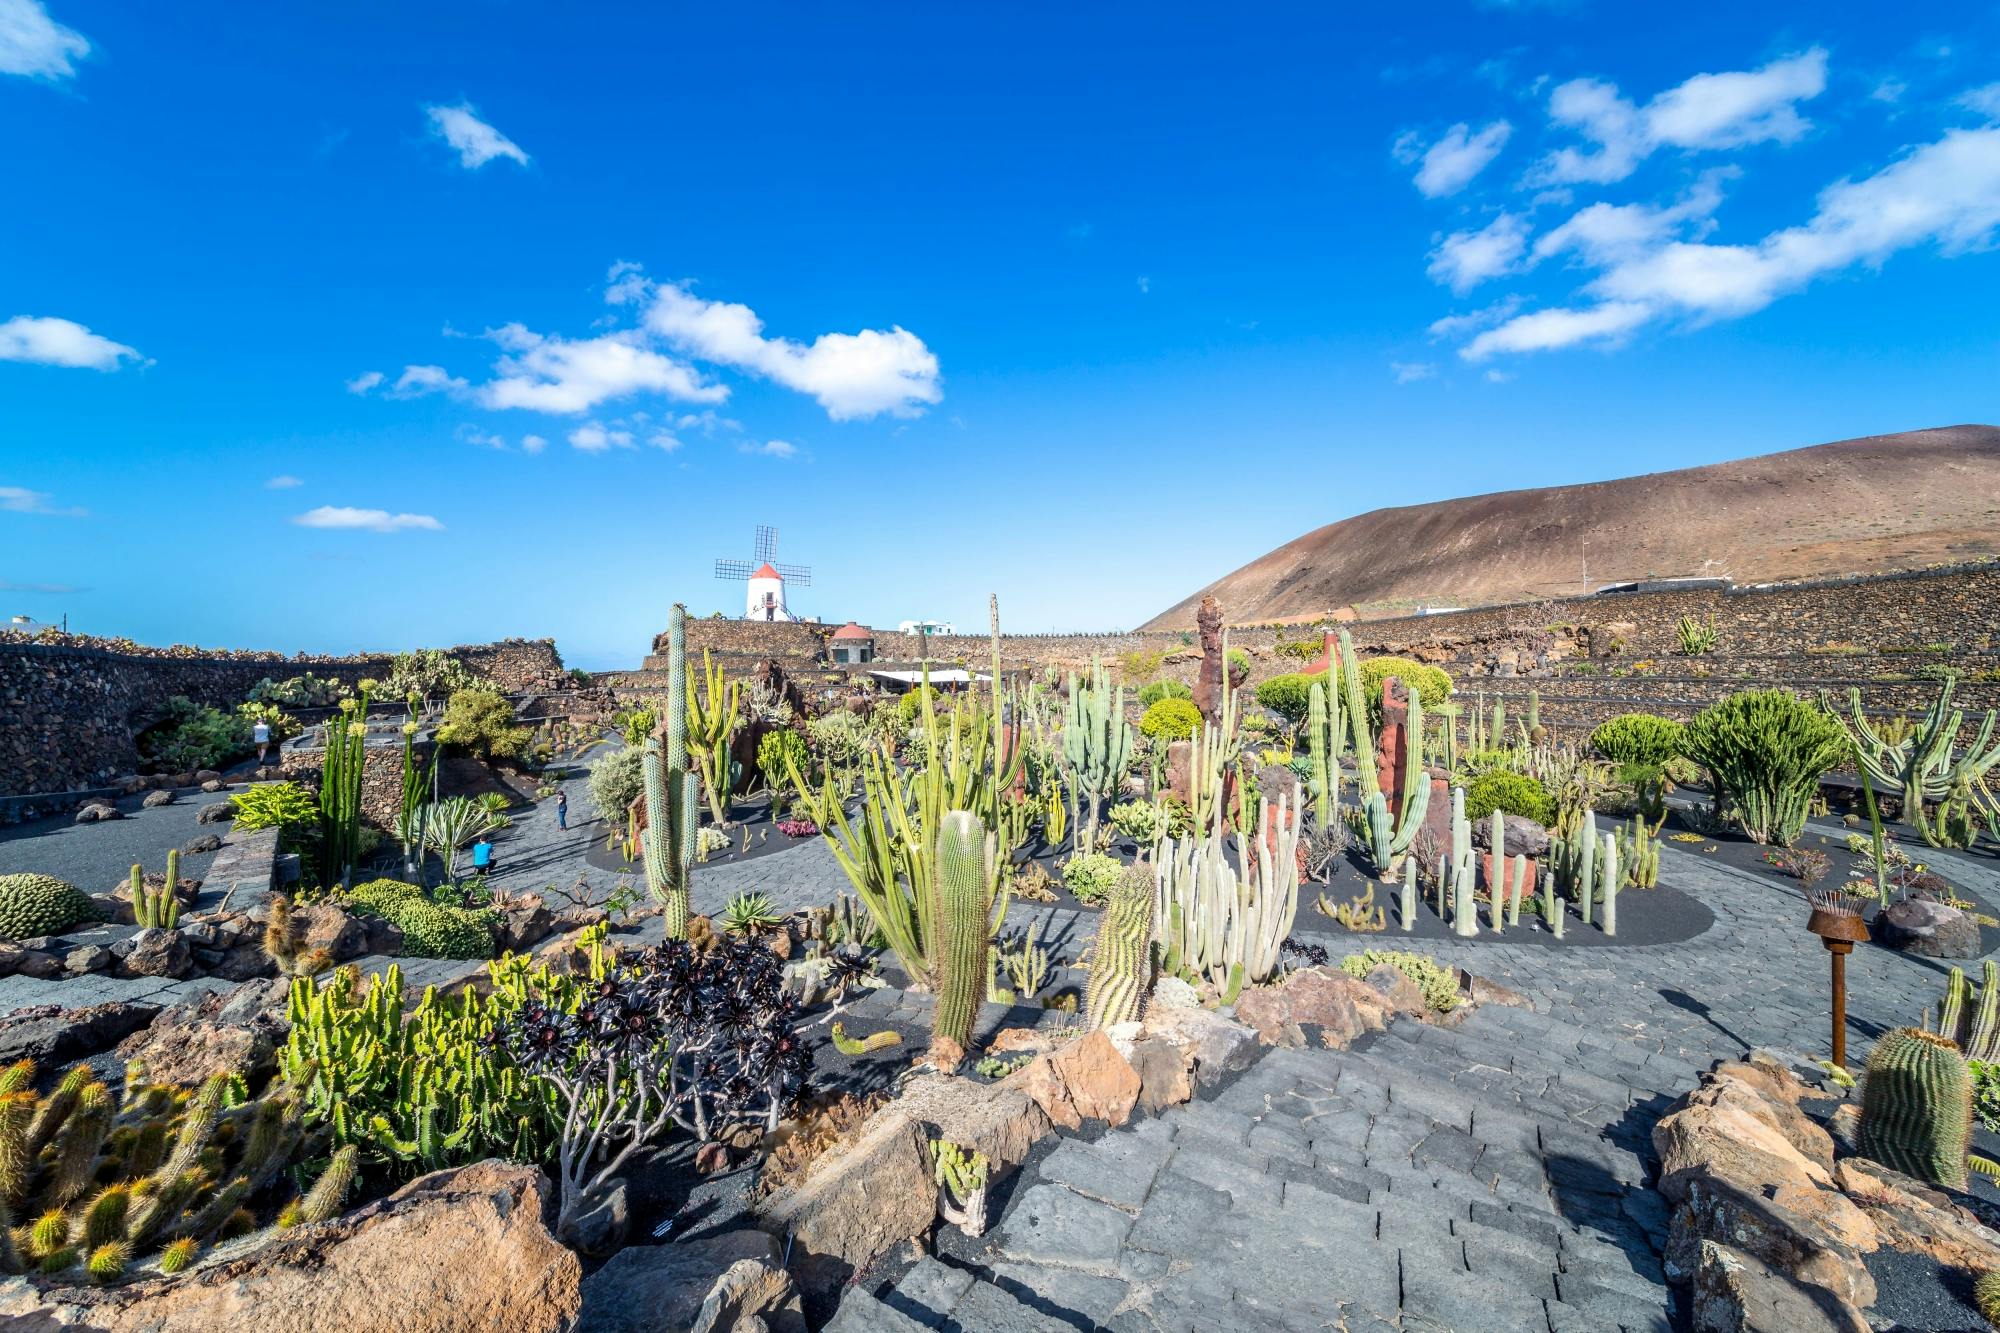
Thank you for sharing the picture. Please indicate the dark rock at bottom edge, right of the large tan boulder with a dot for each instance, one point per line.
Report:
(701, 1286)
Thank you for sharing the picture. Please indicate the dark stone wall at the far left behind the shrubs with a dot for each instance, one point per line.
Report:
(71, 706)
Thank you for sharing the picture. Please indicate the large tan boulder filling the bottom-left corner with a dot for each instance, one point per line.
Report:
(455, 1252)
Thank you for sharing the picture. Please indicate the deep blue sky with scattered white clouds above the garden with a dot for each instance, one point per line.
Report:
(381, 325)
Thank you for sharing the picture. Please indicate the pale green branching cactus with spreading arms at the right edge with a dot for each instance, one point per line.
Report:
(1947, 792)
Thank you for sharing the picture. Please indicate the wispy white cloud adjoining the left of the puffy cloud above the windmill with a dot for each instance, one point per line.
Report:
(557, 375)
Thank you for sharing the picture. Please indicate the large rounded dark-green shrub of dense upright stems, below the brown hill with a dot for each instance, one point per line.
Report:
(1769, 752)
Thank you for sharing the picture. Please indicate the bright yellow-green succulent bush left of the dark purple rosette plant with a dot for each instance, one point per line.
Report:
(425, 1088)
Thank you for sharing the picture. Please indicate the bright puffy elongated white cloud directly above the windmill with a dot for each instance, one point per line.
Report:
(851, 375)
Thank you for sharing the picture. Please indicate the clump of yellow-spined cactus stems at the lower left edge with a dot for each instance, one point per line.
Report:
(117, 1182)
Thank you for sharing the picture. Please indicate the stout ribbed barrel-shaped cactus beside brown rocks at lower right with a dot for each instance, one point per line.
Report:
(1917, 1108)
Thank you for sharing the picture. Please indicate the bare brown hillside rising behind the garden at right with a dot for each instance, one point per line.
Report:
(1853, 507)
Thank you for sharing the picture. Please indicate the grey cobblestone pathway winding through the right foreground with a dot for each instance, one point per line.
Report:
(1485, 1178)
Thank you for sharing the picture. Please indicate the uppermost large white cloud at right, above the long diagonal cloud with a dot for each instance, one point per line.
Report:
(1705, 113)
